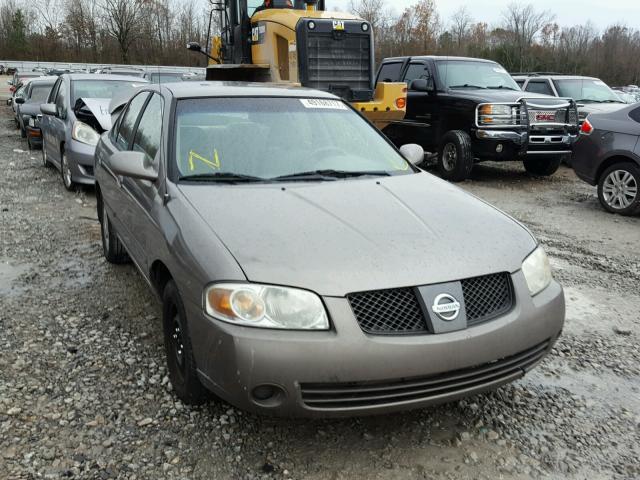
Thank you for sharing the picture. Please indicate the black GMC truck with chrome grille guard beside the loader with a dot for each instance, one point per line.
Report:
(470, 110)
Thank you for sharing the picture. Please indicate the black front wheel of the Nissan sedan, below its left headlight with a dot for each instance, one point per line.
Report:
(180, 361)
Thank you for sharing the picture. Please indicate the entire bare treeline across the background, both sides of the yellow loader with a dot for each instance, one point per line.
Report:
(156, 32)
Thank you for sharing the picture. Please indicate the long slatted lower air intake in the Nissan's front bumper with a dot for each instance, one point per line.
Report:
(334, 396)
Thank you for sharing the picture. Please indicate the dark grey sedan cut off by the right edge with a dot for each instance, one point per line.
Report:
(607, 154)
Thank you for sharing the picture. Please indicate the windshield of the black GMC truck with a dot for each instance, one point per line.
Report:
(470, 74)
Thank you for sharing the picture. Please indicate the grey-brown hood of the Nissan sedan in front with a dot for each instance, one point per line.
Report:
(340, 237)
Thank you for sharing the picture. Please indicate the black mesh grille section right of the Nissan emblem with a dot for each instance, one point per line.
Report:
(487, 297)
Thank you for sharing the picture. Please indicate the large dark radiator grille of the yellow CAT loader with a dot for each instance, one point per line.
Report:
(335, 61)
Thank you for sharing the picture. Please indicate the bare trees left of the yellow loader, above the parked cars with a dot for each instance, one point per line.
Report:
(102, 31)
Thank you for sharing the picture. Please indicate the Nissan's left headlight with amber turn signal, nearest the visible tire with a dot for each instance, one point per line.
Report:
(266, 306)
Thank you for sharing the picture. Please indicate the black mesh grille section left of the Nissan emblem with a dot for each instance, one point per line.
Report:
(388, 311)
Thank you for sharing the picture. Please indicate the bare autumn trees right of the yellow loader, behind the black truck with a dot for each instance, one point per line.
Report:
(523, 39)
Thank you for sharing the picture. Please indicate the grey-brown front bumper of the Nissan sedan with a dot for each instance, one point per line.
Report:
(234, 360)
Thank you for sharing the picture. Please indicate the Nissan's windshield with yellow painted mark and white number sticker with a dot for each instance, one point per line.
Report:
(265, 138)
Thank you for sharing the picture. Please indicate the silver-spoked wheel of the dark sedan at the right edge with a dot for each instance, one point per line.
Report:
(618, 189)
